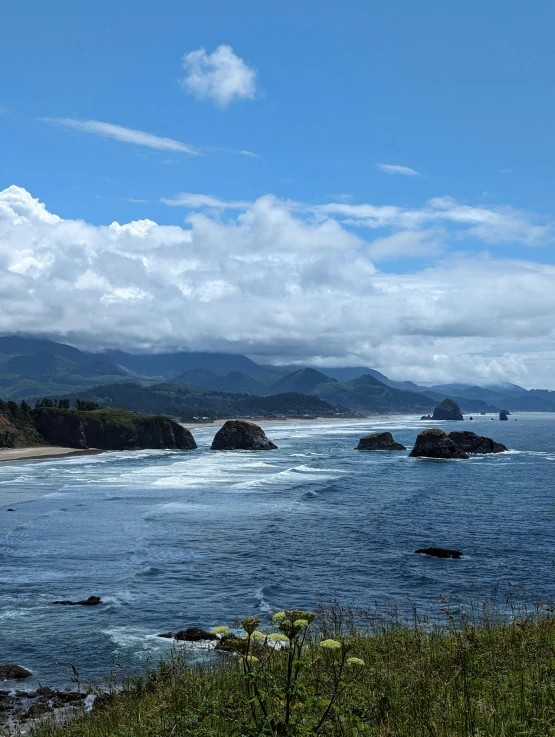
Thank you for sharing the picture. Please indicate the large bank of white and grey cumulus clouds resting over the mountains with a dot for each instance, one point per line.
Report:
(278, 281)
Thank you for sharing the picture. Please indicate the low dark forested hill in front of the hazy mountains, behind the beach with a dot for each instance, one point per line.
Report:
(192, 405)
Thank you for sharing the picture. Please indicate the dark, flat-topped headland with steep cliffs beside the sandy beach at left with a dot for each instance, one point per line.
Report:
(110, 429)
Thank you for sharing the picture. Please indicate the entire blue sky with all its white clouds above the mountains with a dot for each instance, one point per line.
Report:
(332, 182)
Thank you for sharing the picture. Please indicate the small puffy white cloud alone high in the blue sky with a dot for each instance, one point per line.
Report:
(221, 76)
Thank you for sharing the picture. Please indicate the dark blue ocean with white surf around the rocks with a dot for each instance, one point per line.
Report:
(171, 539)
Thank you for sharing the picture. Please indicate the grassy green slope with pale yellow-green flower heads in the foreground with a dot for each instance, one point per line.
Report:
(348, 673)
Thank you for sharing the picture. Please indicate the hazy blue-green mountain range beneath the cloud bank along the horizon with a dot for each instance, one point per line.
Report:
(32, 367)
